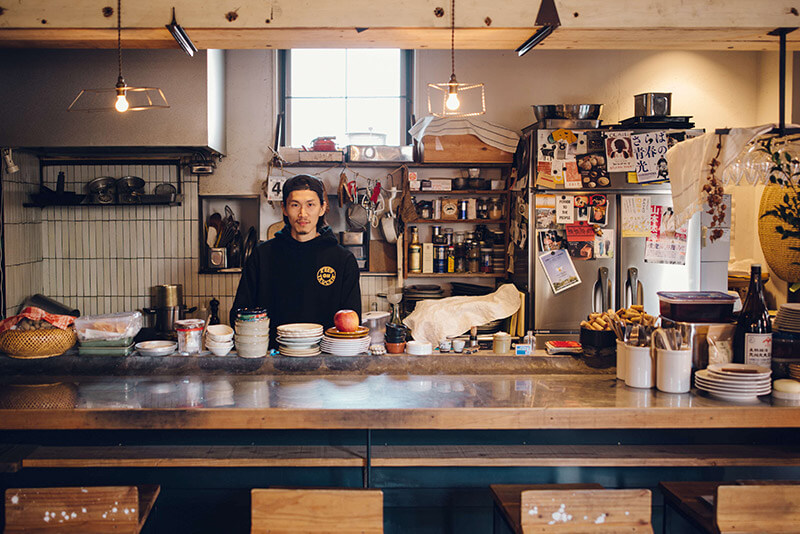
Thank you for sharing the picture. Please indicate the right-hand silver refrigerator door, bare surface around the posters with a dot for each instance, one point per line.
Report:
(649, 278)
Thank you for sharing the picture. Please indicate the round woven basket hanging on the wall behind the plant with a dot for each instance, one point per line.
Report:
(776, 250)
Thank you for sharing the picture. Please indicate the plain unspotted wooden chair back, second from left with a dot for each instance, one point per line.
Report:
(295, 511)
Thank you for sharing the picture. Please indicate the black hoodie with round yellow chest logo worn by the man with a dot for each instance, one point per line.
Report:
(299, 282)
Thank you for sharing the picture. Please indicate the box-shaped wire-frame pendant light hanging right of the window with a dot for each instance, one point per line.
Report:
(454, 99)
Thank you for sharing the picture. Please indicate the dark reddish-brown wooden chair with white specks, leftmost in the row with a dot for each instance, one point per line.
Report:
(80, 510)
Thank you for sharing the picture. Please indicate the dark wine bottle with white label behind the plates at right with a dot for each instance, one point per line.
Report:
(752, 341)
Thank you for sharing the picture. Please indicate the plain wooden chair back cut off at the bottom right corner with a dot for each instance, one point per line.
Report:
(766, 509)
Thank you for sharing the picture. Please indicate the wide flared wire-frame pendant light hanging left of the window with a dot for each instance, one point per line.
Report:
(122, 97)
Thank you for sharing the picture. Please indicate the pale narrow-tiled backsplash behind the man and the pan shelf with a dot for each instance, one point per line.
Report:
(105, 259)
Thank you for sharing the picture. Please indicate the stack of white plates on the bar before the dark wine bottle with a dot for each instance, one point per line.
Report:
(734, 381)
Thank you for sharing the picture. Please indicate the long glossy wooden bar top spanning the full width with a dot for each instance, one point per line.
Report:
(375, 401)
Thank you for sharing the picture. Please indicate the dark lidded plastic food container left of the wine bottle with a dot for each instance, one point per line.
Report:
(696, 306)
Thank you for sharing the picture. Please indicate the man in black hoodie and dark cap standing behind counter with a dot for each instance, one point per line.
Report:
(302, 275)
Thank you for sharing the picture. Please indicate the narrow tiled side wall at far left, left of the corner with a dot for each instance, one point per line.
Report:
(22, 233)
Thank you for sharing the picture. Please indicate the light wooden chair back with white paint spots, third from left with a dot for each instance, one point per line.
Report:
(597, 511)
